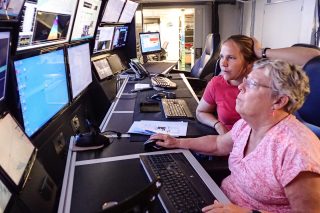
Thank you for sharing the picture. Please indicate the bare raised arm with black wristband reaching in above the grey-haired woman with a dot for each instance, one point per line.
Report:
(294, 55)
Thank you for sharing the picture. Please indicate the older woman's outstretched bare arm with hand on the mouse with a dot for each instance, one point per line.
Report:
(210, 145)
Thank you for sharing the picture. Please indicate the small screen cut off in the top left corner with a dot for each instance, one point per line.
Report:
(10, 9)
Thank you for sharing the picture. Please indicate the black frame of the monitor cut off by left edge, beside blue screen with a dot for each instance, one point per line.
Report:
(3, 101)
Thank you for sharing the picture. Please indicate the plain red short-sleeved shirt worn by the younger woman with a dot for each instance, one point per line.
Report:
(223, 95)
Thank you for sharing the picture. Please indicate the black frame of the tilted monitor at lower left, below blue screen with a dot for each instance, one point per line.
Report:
(13, 187)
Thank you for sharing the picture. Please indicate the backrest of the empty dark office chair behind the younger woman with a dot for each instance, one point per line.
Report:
(205, 64)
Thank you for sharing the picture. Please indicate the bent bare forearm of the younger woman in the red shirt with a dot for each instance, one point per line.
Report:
(205, 115)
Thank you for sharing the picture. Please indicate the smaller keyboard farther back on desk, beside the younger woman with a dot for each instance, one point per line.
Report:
(176, 108)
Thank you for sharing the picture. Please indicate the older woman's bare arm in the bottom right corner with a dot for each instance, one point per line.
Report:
(303, 192)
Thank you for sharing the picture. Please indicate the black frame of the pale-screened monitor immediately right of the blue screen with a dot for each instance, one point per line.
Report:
(74, 44)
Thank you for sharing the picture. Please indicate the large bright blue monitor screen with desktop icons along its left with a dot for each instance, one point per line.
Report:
(42, 86)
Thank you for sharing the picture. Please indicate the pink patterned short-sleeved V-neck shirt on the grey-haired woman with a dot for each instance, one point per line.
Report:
(257, 180)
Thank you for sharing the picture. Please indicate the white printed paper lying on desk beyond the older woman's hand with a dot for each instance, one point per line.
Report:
(174, 128)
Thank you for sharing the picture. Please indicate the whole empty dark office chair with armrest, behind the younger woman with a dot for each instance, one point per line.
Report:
(203, 66)
